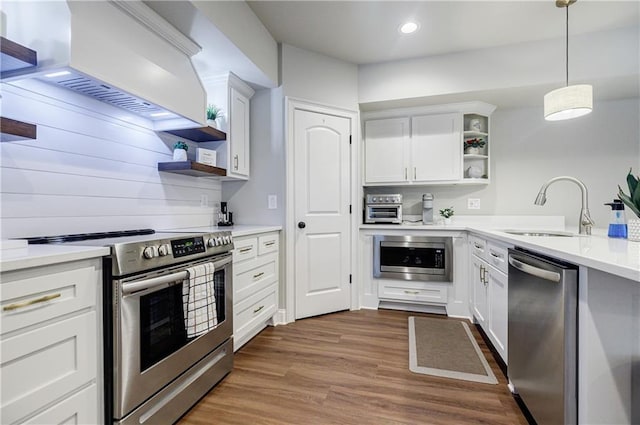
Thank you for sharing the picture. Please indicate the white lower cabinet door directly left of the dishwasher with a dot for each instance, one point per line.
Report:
(498, 314)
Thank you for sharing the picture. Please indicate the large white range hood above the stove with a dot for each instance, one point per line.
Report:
(119, 52)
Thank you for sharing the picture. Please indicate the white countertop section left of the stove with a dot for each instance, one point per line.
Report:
(42, 255)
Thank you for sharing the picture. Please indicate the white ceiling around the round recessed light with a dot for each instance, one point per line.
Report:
(364, 32)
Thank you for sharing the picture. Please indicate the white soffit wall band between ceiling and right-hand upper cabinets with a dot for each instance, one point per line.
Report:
(510, 66)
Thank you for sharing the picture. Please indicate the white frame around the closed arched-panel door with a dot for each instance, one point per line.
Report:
(291, 105)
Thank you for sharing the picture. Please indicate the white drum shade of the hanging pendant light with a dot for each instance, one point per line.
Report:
(568, 102)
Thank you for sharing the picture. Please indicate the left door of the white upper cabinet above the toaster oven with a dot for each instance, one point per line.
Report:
(385, 150)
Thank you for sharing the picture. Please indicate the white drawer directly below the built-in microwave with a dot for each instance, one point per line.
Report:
(418, 292)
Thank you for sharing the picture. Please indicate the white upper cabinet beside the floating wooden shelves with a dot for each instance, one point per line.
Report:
(233, 96)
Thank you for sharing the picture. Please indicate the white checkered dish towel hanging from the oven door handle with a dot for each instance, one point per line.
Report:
(198, 297)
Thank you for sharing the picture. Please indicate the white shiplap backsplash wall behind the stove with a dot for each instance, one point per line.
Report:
(91, 170)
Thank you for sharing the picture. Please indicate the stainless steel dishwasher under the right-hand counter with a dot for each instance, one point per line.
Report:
(542, 336)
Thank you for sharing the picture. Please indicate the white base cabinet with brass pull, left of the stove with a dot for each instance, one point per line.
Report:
(51, 337)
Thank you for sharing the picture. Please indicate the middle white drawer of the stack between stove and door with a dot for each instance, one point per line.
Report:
(250, 280)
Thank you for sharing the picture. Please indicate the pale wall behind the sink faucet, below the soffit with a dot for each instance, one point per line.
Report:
(526, 151)
